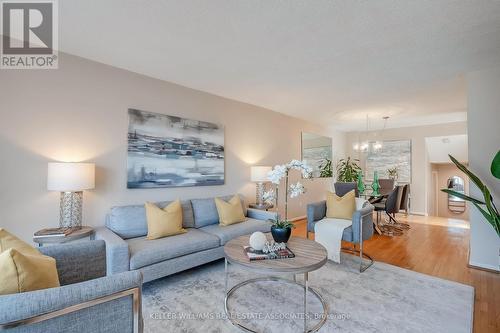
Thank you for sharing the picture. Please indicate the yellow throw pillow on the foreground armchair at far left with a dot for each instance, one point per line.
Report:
(23, 272)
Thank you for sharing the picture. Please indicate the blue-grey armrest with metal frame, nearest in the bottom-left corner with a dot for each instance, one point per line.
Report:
(111, 304)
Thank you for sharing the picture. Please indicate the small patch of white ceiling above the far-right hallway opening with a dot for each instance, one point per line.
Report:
(438, 148)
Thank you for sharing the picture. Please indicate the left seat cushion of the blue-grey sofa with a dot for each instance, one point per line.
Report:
(144, 252)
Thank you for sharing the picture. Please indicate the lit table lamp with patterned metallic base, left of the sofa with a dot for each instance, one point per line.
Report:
(71, 179)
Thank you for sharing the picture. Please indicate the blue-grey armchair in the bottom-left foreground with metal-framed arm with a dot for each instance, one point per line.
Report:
(87, 300)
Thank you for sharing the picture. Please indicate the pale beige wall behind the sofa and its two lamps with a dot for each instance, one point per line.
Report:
(79, 113)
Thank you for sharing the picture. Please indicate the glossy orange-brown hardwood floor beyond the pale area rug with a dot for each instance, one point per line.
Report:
(438, 247)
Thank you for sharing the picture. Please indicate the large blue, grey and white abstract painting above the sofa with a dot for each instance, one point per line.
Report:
(171, 151)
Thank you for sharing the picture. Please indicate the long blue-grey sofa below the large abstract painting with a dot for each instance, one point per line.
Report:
(127, 248)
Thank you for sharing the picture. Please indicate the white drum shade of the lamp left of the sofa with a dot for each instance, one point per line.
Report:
(70, 177)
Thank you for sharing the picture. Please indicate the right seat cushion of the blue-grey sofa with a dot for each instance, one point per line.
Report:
(226, 233)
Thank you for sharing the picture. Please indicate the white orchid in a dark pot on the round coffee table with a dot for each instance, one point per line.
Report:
(281, 229)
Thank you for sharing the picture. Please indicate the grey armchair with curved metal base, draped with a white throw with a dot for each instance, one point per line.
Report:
(361, 229)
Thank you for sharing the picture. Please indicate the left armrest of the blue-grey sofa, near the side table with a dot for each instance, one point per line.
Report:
(117, 251)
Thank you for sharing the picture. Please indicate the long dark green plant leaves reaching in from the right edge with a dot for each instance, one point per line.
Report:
(485, 205)
